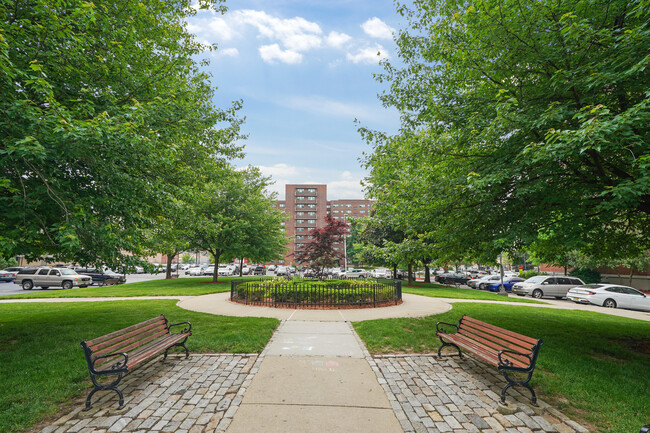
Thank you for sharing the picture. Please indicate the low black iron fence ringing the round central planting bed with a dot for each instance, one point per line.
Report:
(316, 295)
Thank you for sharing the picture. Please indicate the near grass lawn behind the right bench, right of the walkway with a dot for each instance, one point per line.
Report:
(592, 366)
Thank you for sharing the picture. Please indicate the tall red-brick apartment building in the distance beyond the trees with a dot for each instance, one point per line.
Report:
(307, 206)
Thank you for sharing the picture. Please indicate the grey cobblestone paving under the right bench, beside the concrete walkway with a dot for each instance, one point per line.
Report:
(451, 395)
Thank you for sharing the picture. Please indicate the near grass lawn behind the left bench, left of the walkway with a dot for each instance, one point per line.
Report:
(43, 367)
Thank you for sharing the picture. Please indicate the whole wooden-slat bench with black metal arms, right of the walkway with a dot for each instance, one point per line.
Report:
(508, 351)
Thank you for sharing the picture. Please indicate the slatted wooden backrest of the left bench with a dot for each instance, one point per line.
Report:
(125, 339)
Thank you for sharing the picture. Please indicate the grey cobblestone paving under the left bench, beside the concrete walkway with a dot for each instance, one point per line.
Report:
(194, 395)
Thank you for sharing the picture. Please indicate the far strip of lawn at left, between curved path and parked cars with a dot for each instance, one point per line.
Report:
(173, 287)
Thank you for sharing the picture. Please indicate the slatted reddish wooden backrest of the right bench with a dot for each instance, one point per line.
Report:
(499, 339)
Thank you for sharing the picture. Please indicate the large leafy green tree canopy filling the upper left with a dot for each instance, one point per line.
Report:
(102, 103)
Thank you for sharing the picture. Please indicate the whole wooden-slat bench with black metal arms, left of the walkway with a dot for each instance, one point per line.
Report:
(119, 352)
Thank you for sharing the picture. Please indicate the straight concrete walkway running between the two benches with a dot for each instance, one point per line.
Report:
(314, 378)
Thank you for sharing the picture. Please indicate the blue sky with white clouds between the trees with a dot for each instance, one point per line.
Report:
(303, 69)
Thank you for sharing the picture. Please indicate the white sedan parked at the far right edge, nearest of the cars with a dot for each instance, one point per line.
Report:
(610, 296)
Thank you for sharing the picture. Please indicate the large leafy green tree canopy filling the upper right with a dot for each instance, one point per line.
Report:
(519, 120)
